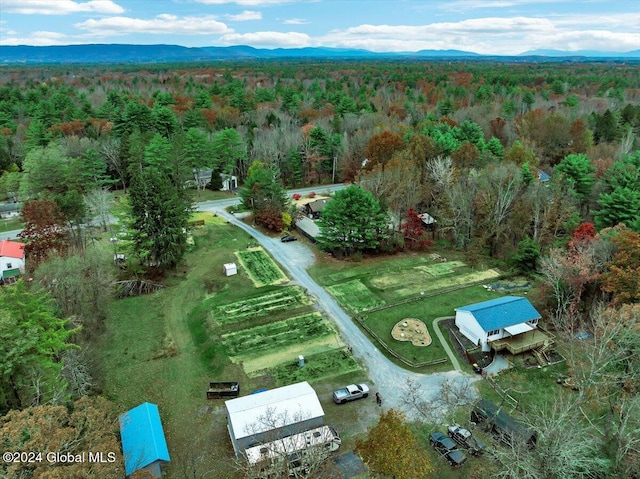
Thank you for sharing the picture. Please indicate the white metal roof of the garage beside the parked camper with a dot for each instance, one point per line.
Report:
(286, 405)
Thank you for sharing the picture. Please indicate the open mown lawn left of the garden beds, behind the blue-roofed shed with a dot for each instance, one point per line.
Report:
(154, 349)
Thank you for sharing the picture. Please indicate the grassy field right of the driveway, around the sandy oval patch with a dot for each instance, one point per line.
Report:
(359, 287)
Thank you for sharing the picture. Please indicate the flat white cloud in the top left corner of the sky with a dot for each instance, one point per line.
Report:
(60, 7)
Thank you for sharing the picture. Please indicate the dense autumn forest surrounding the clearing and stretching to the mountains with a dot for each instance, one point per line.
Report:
(535, 167)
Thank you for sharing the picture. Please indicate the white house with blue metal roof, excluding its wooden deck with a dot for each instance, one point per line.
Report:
(497, 319)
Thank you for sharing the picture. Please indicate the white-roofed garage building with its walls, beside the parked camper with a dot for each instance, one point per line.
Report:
(273, 414)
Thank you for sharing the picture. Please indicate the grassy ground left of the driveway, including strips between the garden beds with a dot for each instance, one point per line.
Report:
(164, 348)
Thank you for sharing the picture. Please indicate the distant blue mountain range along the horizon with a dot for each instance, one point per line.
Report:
(123, 53)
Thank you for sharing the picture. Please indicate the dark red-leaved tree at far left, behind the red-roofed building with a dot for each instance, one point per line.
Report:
(44, 232)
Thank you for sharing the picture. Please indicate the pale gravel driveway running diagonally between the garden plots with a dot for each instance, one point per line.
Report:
(389, 378)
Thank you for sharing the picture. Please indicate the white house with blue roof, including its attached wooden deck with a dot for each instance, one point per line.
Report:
(510, 323)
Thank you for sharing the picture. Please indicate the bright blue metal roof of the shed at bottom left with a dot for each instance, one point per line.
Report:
(142, 436)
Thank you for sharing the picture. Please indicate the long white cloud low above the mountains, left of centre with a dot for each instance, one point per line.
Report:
(164, 24)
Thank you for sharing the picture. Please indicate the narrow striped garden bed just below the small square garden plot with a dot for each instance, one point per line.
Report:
(284, 298)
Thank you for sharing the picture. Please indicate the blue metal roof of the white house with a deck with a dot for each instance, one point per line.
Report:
(502, 312)
